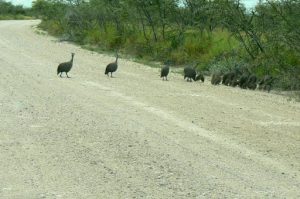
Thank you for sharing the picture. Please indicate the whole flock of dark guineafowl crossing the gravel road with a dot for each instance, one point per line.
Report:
(234, 78)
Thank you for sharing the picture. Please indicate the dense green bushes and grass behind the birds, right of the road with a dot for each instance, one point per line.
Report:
(214, 36)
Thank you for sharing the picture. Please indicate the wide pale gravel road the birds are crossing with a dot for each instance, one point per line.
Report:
(134, 136)
